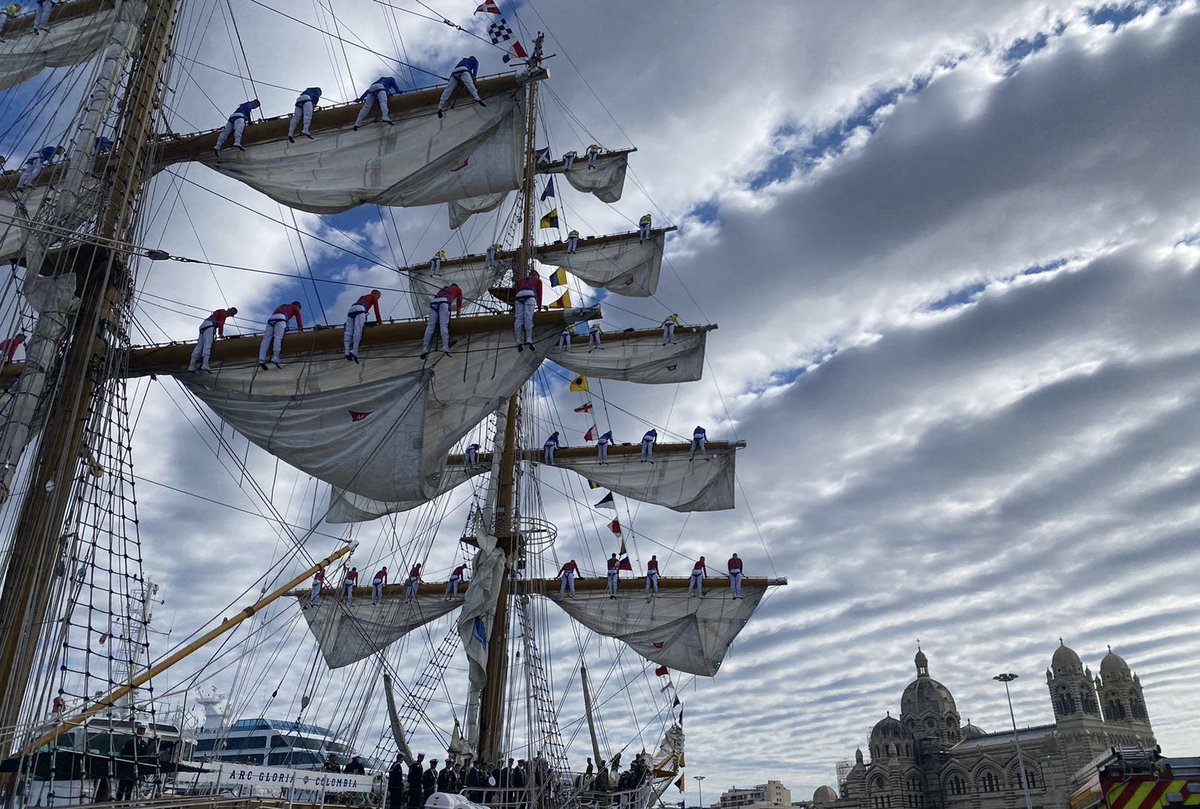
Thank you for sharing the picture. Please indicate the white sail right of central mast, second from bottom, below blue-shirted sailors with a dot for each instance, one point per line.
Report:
(673, 481)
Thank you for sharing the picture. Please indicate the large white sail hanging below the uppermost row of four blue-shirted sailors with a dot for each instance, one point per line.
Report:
(423, 160)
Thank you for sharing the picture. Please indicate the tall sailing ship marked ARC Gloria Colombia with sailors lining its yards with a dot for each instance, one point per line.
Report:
(482, 470)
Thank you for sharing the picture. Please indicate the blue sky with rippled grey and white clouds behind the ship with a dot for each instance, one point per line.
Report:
(952, 249)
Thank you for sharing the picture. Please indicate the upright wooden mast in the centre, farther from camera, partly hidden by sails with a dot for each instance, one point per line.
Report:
(507, 532)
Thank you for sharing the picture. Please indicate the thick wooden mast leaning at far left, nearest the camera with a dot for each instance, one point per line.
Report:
(104, 284)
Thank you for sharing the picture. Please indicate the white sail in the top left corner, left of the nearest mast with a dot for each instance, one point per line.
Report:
(68, 43)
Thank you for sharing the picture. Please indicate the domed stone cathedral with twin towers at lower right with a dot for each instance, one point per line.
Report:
(928, 759)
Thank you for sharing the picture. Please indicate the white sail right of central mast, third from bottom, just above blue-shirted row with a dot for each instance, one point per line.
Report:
(644, 359)
